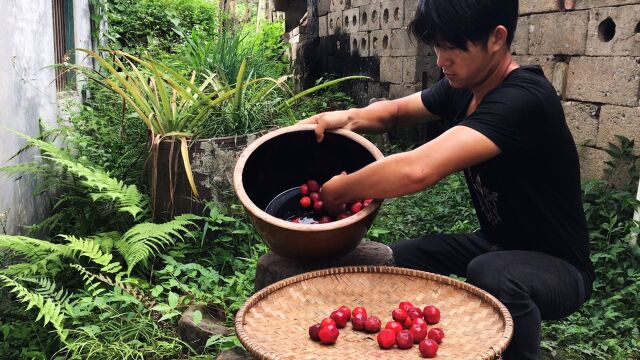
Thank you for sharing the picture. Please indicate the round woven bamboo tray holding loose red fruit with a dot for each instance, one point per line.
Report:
(274, 322)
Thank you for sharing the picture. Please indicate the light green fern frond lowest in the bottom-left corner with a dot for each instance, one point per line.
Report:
(48, 309)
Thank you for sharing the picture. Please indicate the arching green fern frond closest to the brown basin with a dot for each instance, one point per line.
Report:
(147, 239)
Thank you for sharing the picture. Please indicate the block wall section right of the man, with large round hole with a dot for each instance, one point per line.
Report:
(590, 51)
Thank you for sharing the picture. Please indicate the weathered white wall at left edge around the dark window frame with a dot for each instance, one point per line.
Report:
(27, 93)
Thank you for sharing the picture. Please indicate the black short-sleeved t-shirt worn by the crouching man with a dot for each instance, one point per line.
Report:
(528, 197)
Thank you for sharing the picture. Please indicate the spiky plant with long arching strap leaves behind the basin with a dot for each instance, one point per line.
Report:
(177, 108)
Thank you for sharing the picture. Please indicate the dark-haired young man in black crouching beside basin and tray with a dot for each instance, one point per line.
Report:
(509, 136)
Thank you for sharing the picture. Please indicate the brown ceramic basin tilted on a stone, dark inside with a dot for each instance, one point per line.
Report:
(286, 158)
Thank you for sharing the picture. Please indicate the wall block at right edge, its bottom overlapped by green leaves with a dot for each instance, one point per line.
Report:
(619, 120)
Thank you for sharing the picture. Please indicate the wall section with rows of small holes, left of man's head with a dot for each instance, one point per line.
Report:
(370, 37)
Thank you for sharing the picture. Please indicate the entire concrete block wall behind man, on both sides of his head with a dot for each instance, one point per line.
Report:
(589, 50)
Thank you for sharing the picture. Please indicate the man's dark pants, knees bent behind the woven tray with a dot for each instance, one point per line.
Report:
(532, 285)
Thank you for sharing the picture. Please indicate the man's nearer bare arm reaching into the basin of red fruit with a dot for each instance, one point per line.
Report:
(412, 171)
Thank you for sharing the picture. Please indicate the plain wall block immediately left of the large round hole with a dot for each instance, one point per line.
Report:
(558, 33)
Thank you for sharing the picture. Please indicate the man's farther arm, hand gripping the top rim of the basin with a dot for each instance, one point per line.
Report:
(375, 118)
